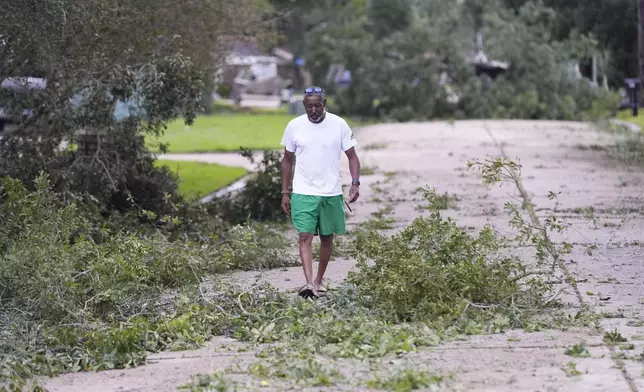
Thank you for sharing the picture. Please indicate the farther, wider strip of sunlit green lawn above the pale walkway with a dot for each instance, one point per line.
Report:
(225, 132)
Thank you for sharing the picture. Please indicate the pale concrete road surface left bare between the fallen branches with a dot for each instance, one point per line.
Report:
(555, 157)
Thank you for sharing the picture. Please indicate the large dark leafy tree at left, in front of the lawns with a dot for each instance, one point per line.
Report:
(151, 55)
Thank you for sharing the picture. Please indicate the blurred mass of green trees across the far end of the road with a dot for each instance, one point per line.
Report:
(407, 59)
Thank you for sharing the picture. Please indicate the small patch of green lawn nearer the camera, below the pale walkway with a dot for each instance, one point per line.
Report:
(198, 179)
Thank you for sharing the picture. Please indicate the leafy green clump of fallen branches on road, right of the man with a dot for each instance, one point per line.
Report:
(444, 260)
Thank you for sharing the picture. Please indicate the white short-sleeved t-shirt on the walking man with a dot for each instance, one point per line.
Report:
(318, 149)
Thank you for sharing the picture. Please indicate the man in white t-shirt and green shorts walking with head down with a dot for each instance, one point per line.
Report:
(317, 140)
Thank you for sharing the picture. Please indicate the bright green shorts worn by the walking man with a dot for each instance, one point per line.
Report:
(318, 215)
